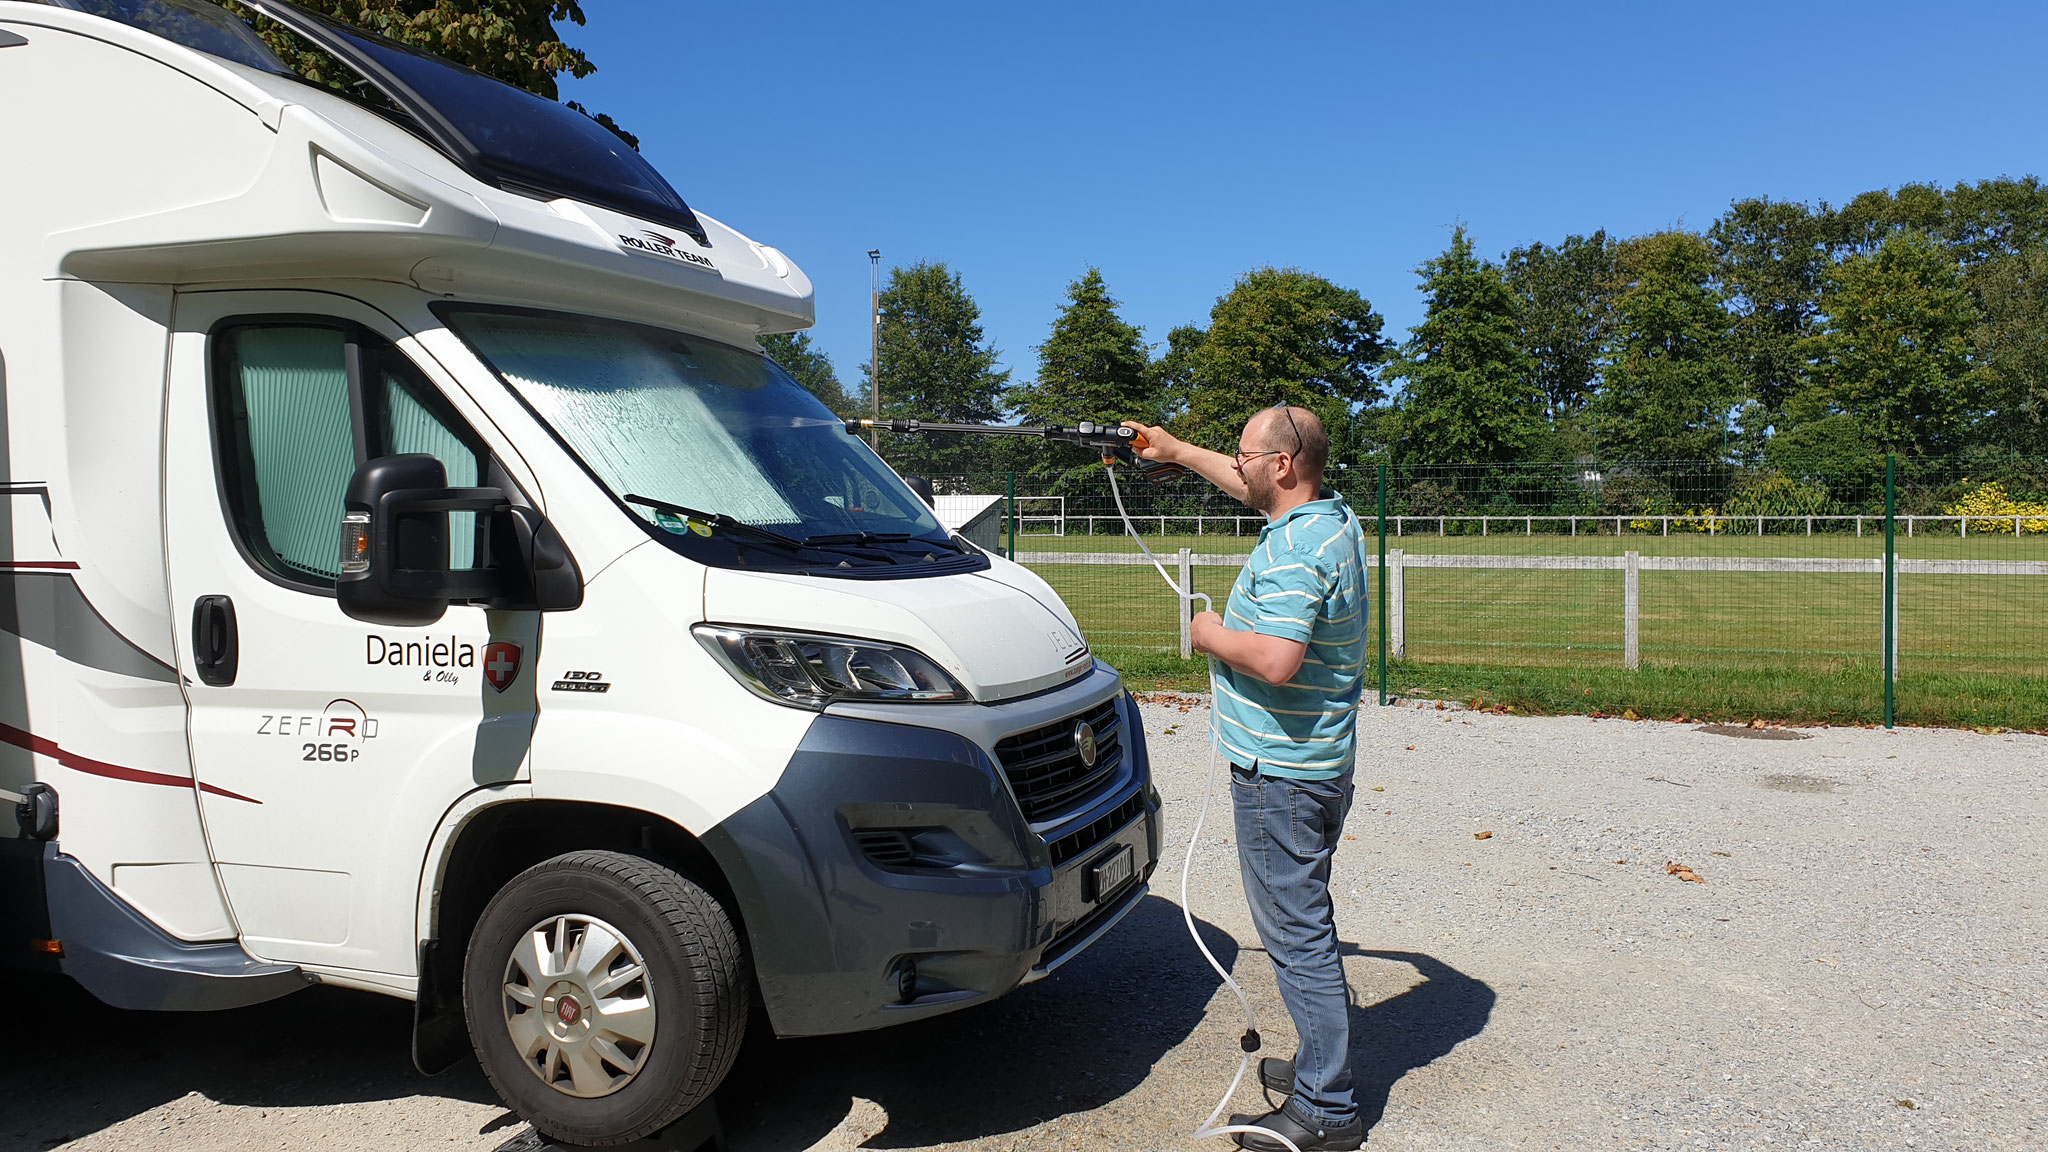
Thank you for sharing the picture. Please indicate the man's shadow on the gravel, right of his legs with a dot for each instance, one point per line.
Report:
(1412, 1030)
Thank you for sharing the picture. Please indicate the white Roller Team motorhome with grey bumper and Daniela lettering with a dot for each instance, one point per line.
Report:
(415, 579)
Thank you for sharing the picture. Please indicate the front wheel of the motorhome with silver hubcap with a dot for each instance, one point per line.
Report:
(605, 997)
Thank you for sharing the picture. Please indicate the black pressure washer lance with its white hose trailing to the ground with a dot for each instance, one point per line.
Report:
(1121, 444)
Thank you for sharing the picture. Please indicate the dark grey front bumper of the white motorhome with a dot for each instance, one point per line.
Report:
(892, 876)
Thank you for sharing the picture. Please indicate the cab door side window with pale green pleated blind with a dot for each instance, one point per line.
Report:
(298, 407)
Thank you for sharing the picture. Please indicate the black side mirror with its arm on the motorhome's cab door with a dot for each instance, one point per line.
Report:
(396, 548)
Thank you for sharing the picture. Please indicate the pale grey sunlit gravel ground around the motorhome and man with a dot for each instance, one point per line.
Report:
(1861, 966)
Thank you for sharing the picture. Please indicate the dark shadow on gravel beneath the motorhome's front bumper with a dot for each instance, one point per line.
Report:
(1068, 1044)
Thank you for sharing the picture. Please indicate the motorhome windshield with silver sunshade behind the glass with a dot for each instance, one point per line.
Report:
(710, 444)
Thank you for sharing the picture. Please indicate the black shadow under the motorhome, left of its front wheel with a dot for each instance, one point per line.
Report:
(93, 1067)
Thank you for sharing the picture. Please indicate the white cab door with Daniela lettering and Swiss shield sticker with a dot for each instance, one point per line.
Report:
(327, 749)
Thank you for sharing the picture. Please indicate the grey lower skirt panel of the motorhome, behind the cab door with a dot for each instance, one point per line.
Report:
(128, 962)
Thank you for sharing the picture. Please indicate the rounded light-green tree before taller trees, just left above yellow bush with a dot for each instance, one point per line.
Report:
(1895, 354)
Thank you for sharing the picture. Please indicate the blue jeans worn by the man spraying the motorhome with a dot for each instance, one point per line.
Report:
(1287, 833)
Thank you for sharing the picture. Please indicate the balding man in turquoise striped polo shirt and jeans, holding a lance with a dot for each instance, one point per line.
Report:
(1291, 661)
